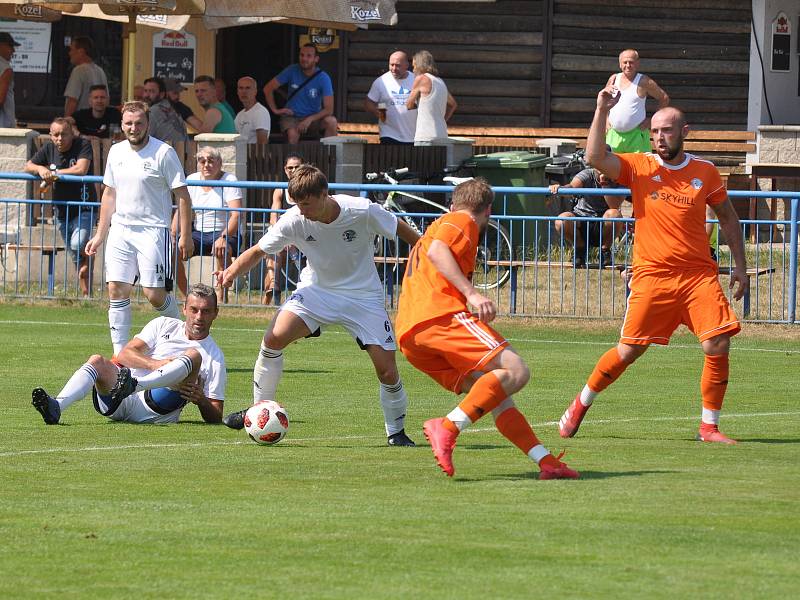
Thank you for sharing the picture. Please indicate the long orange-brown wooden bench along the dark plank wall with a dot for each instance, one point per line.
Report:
(727, 149)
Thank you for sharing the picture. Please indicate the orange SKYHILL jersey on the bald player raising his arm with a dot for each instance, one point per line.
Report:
(669, 205)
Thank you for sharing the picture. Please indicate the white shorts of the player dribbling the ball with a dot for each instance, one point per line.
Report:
(366, 320)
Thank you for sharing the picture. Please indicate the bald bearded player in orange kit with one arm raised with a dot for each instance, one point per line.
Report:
(674, 279)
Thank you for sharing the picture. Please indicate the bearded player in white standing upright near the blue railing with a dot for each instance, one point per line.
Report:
(141, 175)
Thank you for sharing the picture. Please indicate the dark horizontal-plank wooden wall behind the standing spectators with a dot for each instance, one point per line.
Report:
(540, 63)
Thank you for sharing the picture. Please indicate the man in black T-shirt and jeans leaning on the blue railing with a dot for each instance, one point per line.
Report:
(68, 154)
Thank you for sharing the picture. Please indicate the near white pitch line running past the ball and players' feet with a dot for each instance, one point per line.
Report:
(367, 437)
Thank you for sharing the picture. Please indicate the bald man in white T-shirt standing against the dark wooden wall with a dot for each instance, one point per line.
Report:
(387, 101)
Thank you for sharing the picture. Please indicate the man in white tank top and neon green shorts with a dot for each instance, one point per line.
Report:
(628, 126)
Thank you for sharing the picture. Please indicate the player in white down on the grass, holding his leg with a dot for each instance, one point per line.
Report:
(169, 364)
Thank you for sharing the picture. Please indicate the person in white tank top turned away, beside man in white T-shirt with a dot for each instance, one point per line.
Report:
(430, 97)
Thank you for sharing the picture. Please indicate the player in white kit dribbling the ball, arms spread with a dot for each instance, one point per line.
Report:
(339, 285)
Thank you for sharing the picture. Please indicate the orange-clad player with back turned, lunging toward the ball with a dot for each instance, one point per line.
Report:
(440, 337)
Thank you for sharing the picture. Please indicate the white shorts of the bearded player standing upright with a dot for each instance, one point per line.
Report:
(134, 251)
